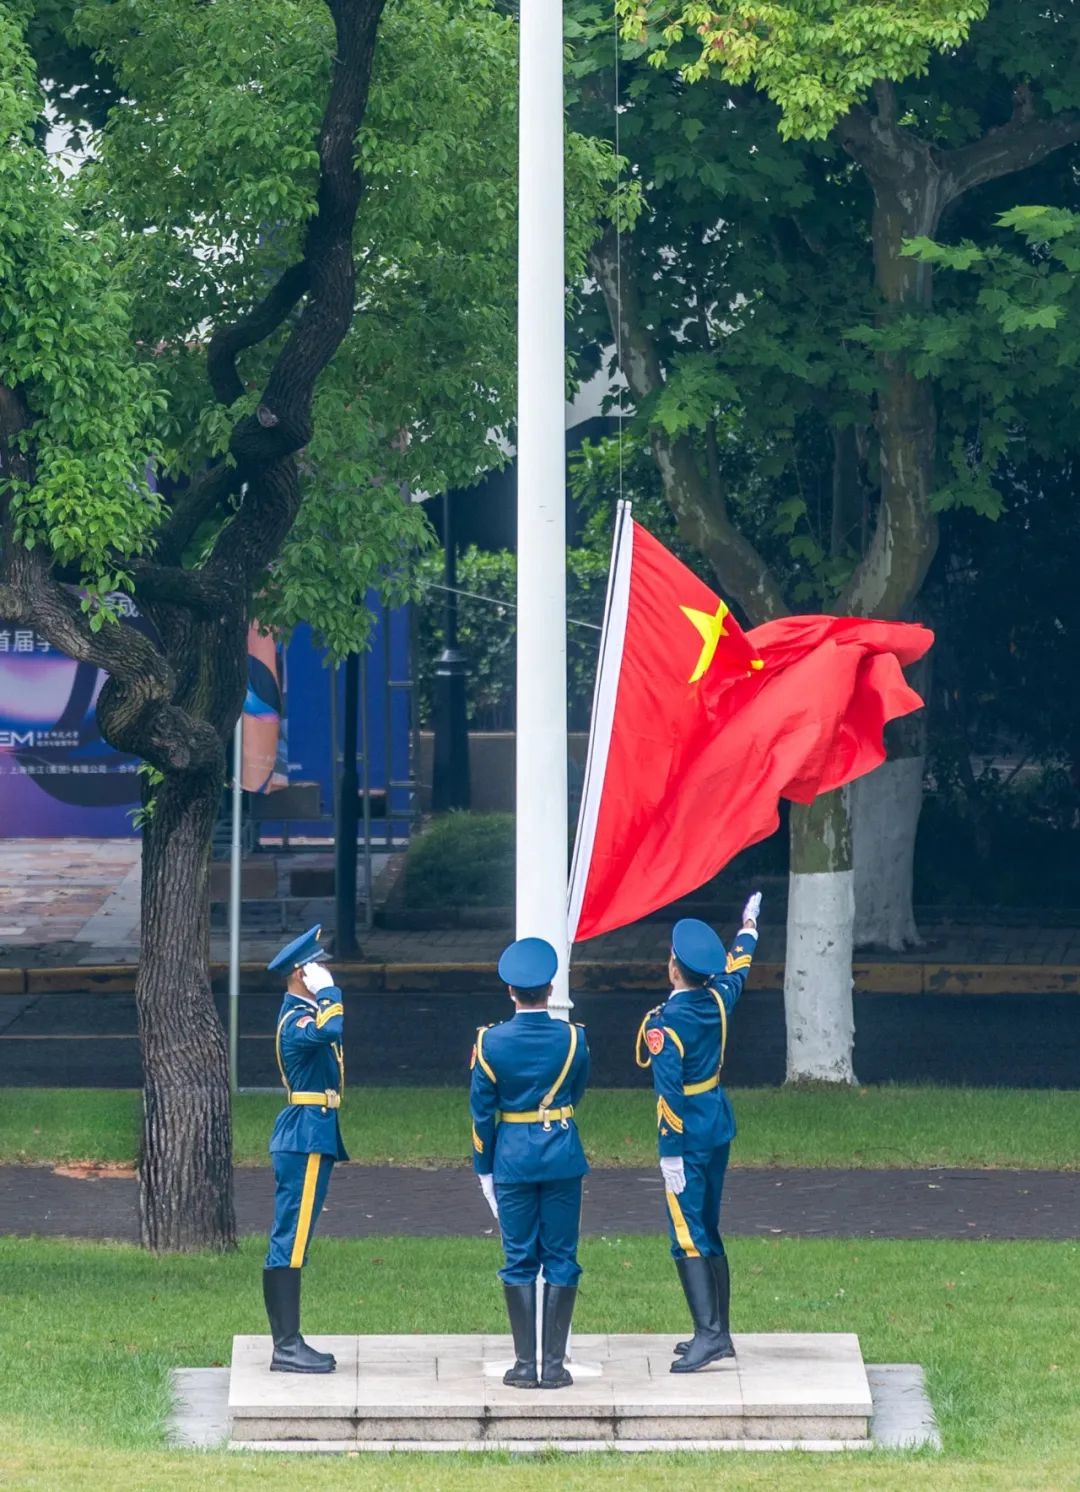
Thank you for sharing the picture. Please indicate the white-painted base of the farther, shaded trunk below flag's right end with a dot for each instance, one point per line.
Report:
(885, 821)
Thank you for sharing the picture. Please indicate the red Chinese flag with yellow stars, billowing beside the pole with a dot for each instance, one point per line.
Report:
(700, 729)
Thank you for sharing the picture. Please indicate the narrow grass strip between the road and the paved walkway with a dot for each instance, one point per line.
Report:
(861, 1127)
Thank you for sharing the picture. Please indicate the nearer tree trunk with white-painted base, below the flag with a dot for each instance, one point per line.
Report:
(818, 962)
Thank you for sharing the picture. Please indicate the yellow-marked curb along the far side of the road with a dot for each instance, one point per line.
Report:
(585, 977)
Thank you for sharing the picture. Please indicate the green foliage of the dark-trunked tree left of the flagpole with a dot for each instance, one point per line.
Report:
(198, 195)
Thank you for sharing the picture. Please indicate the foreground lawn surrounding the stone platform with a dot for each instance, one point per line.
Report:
(90, 1332)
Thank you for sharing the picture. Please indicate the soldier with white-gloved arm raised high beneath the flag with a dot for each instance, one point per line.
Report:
(685, 1041)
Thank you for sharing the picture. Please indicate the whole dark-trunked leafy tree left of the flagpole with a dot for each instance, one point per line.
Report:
(272, 302)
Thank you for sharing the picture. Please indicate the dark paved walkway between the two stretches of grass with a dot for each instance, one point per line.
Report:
(369, 1202)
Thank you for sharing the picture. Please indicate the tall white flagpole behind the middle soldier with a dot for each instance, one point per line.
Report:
(542, 584)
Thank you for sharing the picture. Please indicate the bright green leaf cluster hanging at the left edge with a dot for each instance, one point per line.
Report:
(66, 345)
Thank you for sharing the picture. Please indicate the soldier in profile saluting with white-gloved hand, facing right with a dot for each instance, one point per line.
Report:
(307, 1141)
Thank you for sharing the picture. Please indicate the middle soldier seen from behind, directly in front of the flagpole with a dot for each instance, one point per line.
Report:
(529, 1076)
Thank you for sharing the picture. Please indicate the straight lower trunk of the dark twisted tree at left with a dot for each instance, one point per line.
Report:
(186, 1170)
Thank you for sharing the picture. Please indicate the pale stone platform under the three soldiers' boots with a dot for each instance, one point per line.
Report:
(782, 1391)
